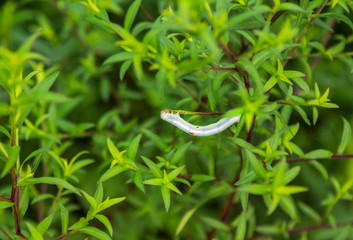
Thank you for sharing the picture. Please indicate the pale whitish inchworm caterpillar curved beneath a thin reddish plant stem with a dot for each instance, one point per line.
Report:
(214, 128)
